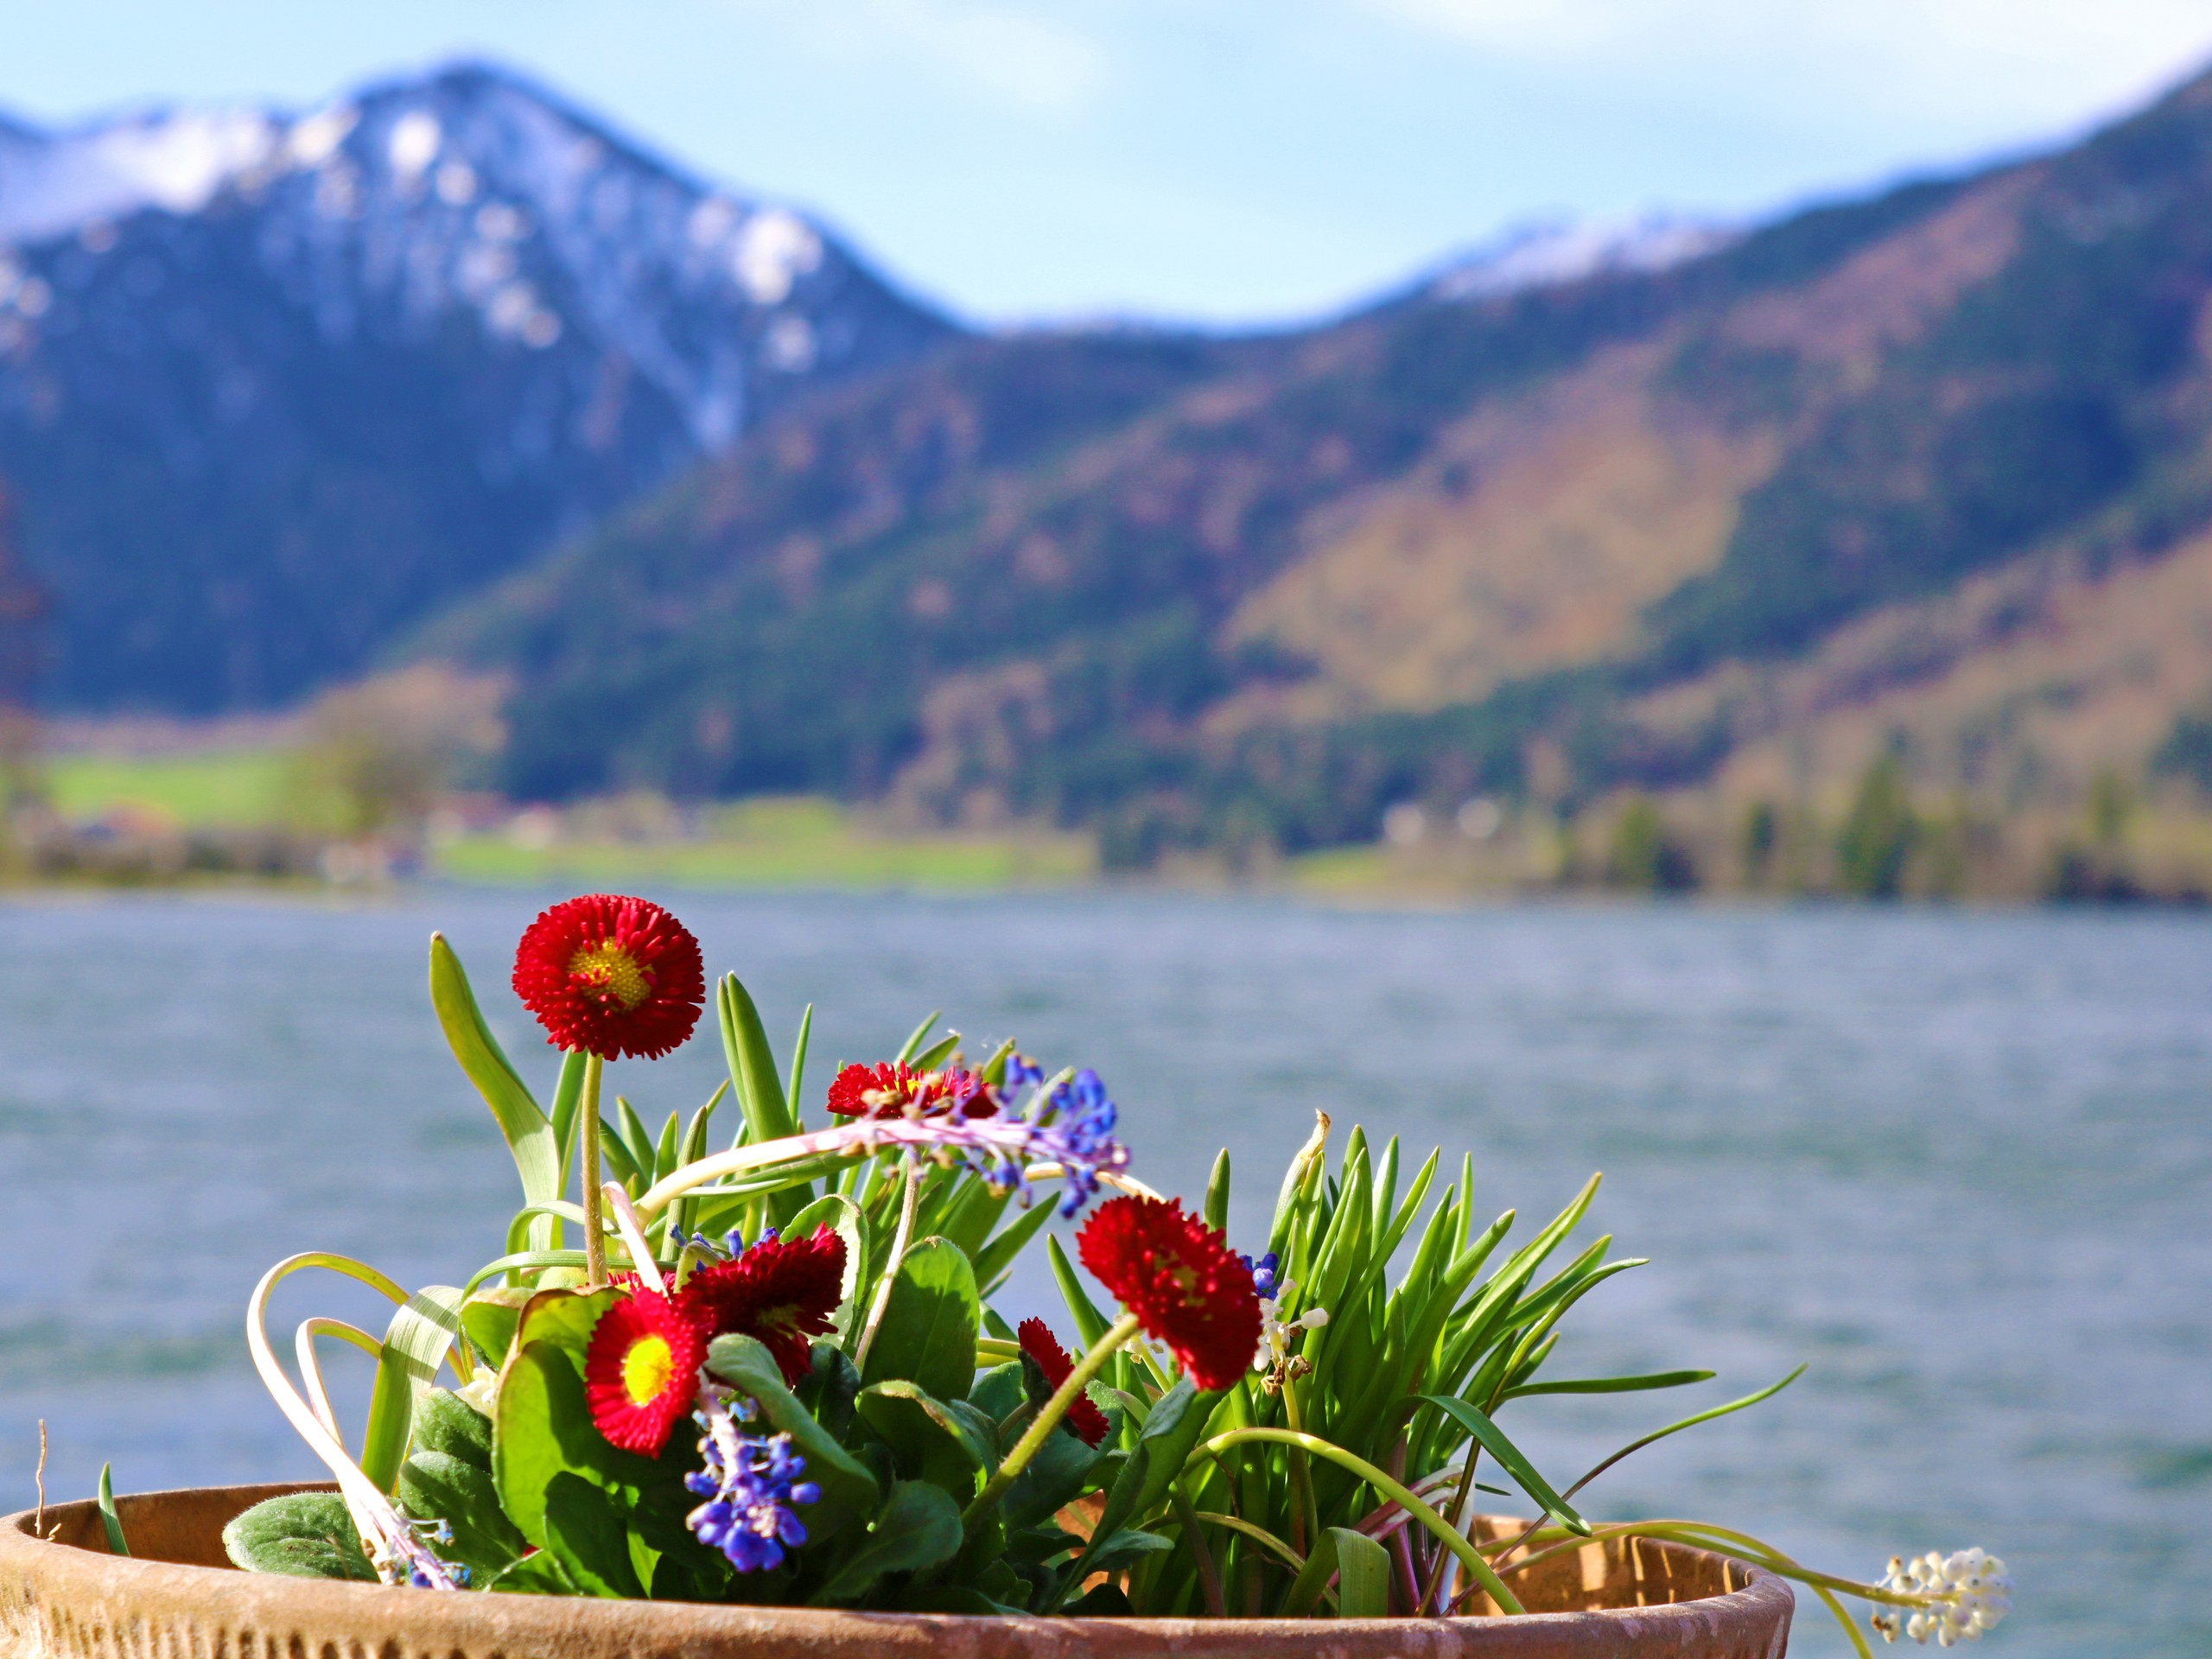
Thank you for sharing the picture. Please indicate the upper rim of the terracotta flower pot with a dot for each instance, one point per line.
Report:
(67, 1574)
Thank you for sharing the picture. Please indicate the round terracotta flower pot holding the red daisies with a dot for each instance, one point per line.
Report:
(178, 1598)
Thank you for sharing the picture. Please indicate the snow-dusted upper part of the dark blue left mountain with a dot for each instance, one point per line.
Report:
(474, 194)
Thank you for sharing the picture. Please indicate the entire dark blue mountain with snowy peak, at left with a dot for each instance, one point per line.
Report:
(366, 359)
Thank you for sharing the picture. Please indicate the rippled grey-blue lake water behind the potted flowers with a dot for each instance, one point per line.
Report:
(1961, 1162)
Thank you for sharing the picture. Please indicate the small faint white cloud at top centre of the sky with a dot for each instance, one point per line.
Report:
(1012, 54)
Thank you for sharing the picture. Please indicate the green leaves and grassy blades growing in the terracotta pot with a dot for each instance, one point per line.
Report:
(941, 1474)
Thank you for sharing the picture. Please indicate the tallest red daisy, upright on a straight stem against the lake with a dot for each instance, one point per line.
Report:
(612, 977)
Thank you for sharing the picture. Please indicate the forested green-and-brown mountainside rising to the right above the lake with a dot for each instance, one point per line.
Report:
(1830, 417)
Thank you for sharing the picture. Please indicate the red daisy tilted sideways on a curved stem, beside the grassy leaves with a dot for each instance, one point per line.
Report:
(1180, 1280)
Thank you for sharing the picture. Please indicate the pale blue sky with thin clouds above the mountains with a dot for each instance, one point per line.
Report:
(1218, 160)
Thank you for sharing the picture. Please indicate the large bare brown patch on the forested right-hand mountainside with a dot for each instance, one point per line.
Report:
(1541, 528)
